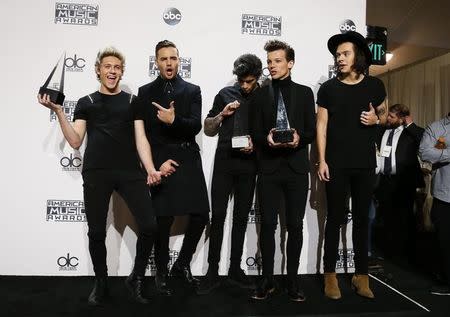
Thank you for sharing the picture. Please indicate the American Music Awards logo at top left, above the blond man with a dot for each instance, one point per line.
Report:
(76, 13)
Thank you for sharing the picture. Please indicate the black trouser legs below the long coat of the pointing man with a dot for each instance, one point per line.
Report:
(197, 223)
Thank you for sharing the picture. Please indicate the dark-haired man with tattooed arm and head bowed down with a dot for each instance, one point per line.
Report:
(234, 170)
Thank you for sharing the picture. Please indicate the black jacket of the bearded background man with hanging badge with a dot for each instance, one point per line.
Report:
(407, 164)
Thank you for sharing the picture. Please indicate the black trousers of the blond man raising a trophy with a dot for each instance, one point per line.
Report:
(98, 186)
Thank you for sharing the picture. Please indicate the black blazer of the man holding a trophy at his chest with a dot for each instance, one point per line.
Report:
(301, 114)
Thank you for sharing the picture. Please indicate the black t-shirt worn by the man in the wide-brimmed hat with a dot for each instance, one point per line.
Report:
(350, 144)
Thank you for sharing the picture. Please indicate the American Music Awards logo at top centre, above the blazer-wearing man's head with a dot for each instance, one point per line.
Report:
(261, 24)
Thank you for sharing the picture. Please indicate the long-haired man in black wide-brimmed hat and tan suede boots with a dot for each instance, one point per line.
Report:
(350, 106)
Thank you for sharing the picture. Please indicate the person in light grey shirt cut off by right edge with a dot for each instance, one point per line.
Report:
(434, 148)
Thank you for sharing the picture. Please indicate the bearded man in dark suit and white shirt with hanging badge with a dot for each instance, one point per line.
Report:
(400, 175)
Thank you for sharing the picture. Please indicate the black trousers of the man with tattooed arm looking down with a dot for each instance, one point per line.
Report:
(242, 186)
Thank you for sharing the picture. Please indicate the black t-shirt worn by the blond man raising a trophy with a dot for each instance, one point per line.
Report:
(110, 131)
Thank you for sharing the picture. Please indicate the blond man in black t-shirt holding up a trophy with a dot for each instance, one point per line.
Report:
(111, 163)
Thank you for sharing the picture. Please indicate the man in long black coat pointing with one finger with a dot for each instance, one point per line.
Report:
(170, 111)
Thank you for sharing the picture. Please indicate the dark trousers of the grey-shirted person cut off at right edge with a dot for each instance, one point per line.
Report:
(440, 215)
